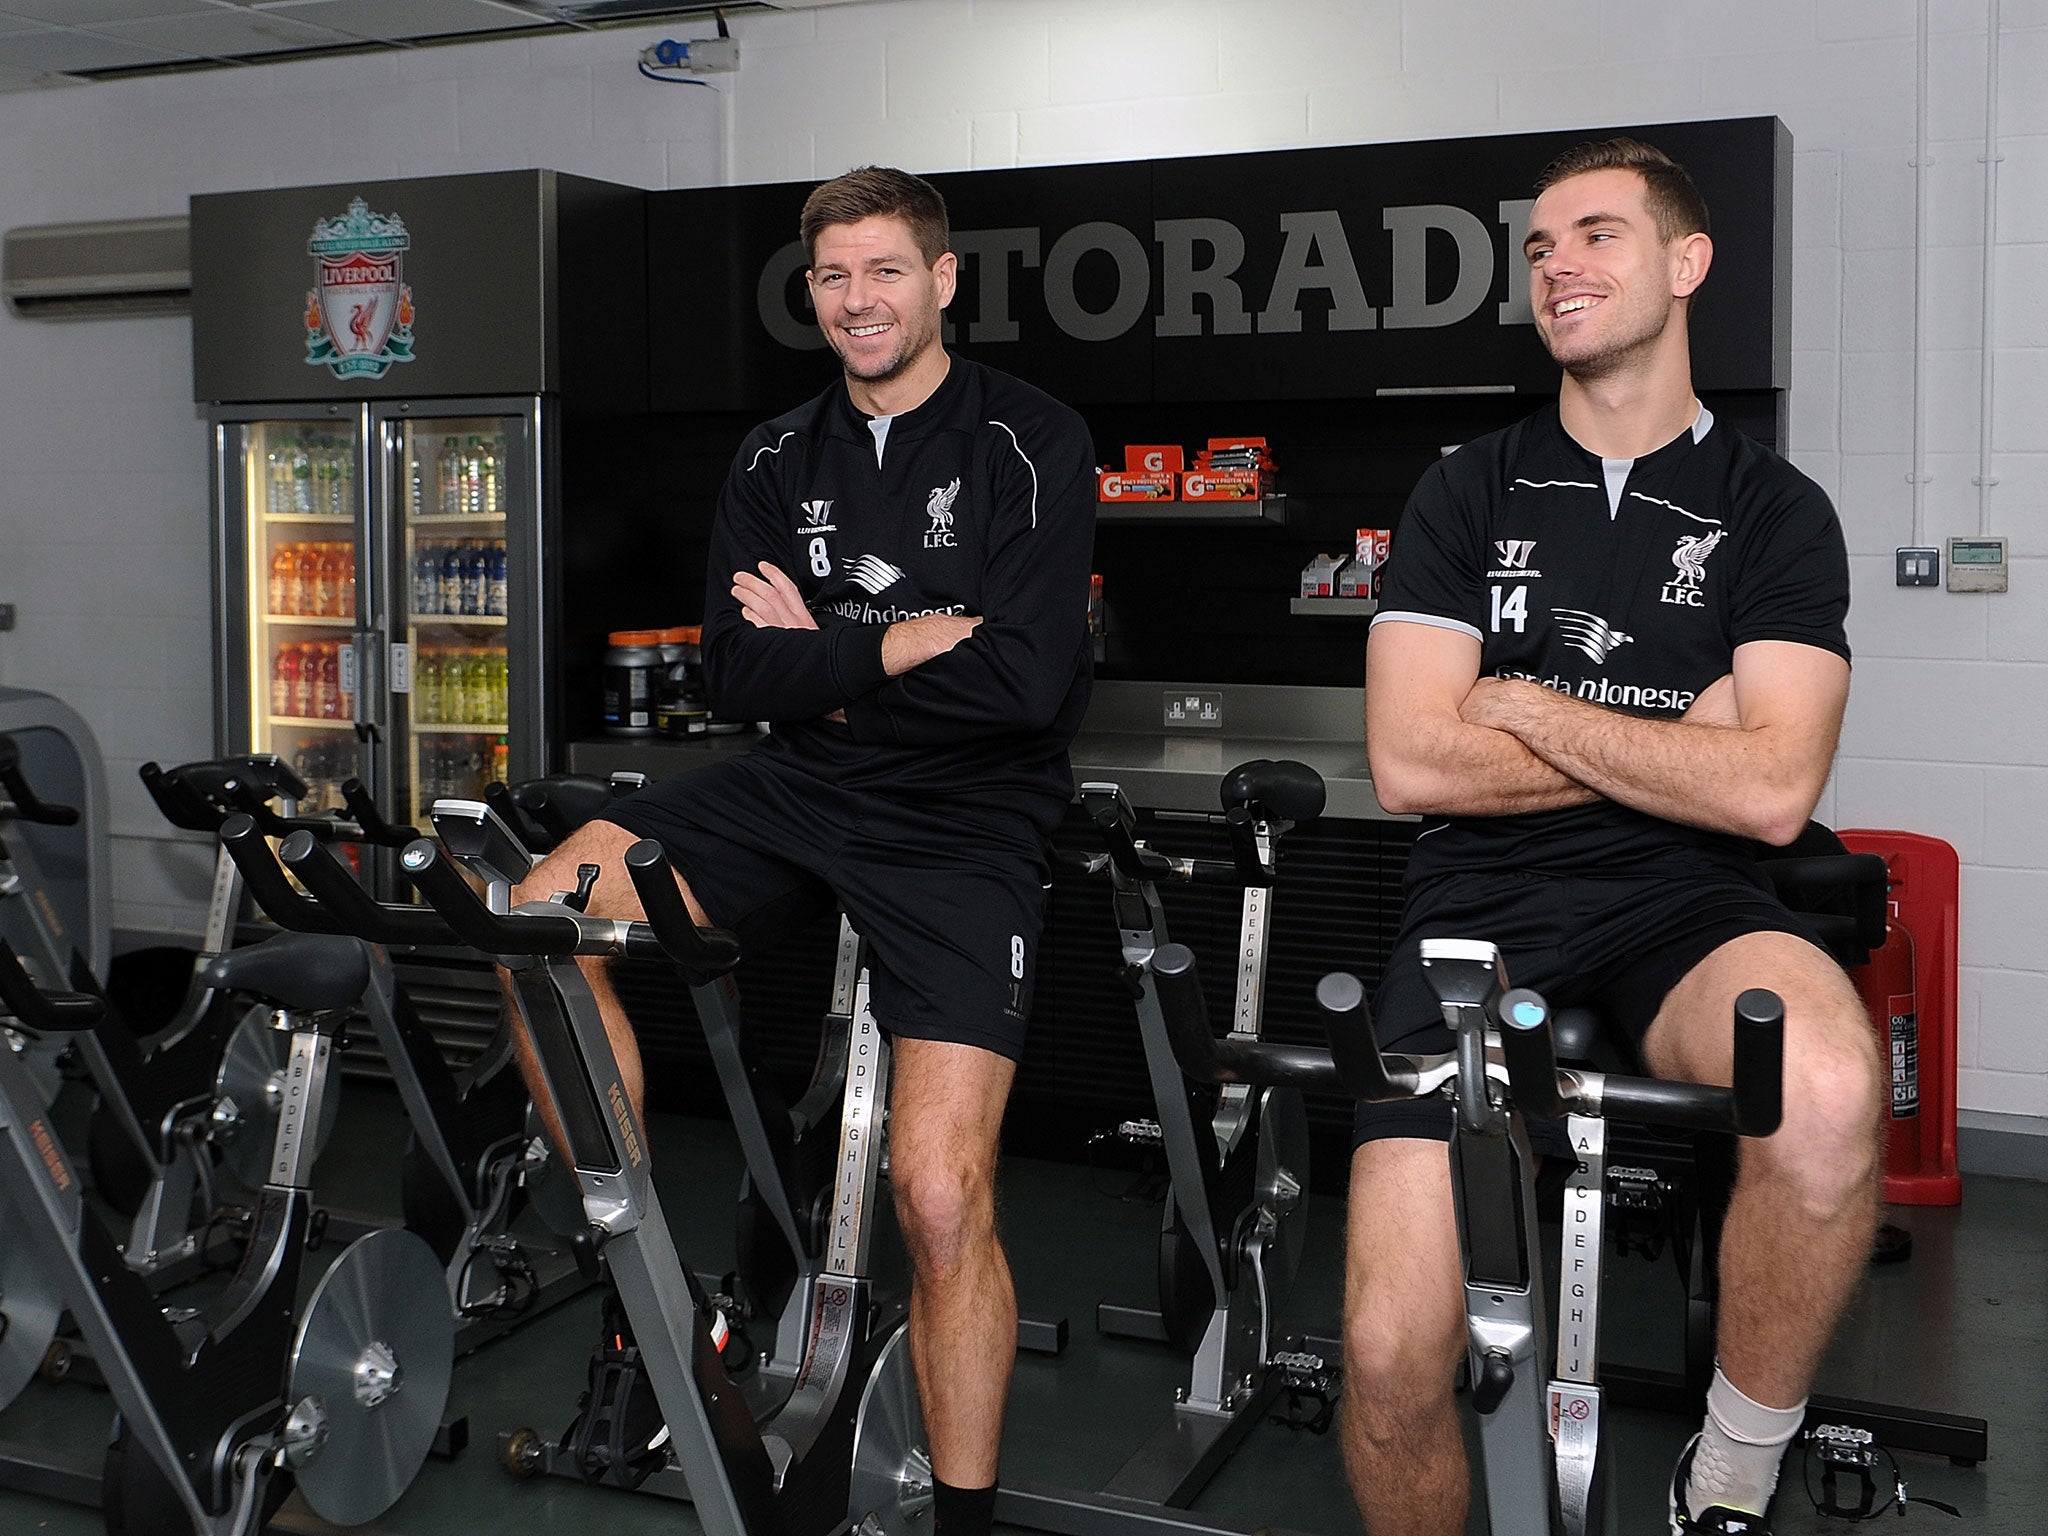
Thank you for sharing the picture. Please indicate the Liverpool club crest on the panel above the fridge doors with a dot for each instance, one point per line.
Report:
(359, 312)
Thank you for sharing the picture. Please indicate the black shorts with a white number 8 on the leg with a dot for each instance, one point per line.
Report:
(949, 898)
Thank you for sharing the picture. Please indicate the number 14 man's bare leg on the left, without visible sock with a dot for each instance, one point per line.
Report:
(1404, 1336)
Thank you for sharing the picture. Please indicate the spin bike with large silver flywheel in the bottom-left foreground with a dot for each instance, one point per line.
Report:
(226, 1408)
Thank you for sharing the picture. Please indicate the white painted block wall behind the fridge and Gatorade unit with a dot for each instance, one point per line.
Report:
(103, 517)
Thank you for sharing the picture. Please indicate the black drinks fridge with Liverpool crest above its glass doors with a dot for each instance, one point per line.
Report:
(390, 374)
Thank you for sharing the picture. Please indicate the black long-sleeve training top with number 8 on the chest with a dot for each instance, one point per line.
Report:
(978, 503)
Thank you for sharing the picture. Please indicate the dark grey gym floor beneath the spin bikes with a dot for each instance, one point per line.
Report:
(1961, 1328)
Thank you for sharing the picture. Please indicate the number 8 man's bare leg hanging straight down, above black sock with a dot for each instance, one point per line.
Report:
(945, 1117)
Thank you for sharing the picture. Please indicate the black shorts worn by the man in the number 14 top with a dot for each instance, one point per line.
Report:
(1584, 941)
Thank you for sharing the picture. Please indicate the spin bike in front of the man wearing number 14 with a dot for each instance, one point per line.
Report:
(1541, 1439)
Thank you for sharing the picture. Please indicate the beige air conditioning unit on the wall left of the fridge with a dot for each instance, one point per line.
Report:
(89, 271)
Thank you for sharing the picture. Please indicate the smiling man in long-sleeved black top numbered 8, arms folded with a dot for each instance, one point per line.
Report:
(900, 585)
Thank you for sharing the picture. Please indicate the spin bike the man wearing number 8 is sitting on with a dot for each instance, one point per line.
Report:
(828, 1431)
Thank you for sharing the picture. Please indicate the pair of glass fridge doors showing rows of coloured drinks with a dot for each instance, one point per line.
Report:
(384, 599)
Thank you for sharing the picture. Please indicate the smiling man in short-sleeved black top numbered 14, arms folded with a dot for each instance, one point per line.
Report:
(1609, 656)
